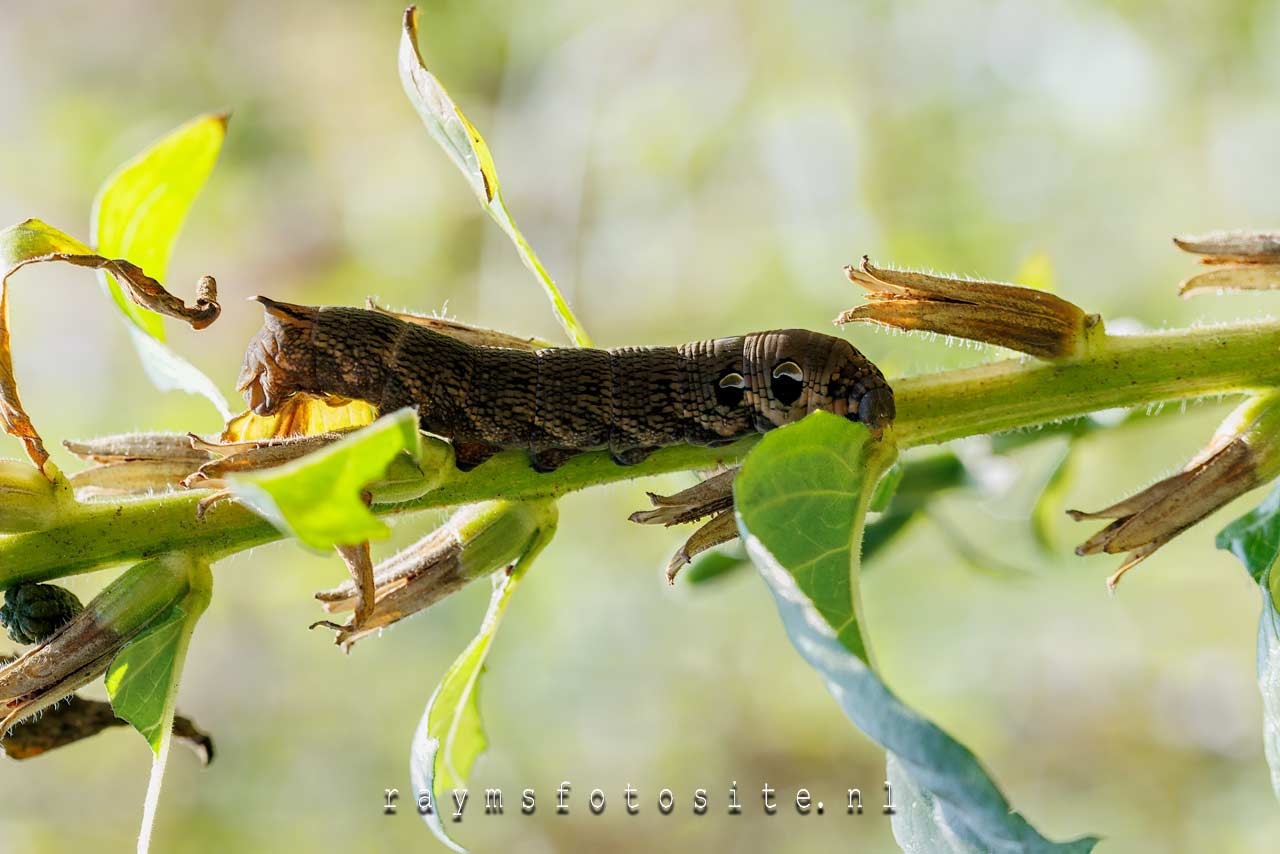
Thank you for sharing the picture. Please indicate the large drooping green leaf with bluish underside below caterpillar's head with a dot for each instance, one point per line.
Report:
(802, 497)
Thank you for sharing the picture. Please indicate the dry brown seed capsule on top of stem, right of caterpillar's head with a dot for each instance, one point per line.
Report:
(1023, 319)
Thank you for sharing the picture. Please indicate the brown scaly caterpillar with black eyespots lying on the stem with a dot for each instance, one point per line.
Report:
(559, 403)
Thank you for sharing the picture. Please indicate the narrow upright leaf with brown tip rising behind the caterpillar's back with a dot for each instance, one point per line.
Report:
(470, 154)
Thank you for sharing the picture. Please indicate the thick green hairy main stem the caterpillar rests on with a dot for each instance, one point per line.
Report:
(1130, 371)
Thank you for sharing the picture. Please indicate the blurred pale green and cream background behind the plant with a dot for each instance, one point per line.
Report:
(687, 171)
